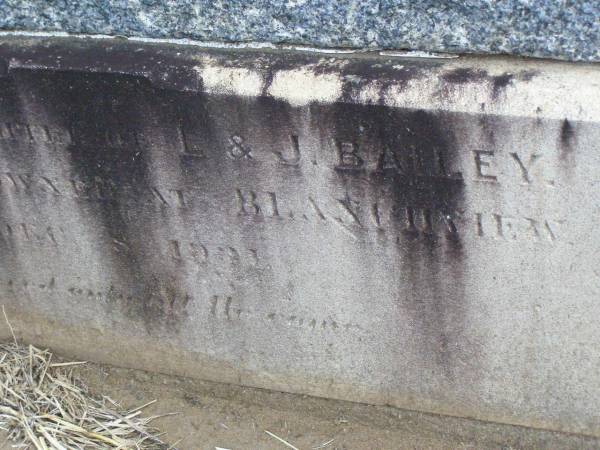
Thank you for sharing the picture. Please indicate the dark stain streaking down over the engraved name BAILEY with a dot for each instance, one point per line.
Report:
(411, 157)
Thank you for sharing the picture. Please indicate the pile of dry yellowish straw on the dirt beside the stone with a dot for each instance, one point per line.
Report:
(44, 407)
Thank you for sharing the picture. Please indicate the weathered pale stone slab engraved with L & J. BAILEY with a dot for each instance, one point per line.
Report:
(413, 232)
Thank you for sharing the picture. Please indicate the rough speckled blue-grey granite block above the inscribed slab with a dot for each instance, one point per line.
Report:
(542, 28)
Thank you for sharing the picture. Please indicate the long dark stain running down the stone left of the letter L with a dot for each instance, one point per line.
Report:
(106, 114)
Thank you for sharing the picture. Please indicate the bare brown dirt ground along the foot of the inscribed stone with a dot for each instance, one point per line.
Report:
(213, 415)
